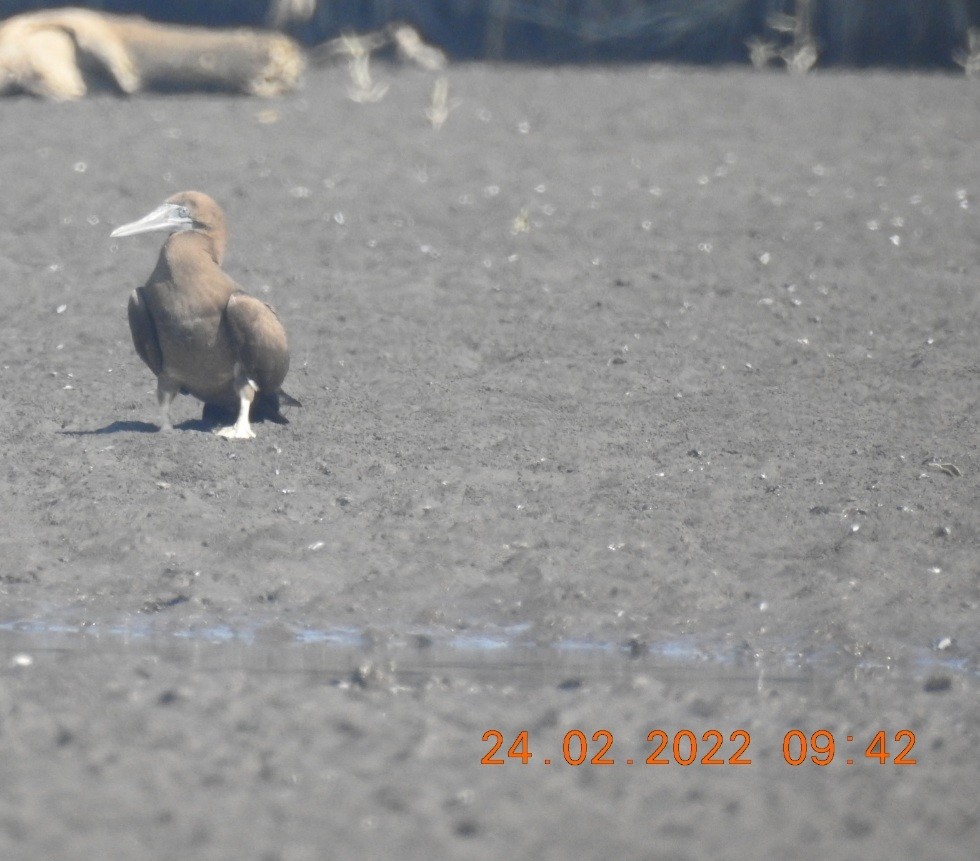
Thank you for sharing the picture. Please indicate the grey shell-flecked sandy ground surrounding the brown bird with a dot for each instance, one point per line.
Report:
(633, 400)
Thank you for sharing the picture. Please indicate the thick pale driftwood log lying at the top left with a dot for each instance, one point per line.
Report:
(56, 54)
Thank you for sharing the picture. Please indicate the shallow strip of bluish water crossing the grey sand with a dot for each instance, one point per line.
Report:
(501, 656)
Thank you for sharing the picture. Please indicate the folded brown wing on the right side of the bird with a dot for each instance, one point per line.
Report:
(259, 340)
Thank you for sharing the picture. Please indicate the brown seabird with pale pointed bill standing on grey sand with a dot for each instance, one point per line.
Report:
(197, 330)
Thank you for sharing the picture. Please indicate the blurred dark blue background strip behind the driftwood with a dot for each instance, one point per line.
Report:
(890, 33)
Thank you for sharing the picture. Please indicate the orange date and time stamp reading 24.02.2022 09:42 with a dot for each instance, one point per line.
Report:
(711, 747)
